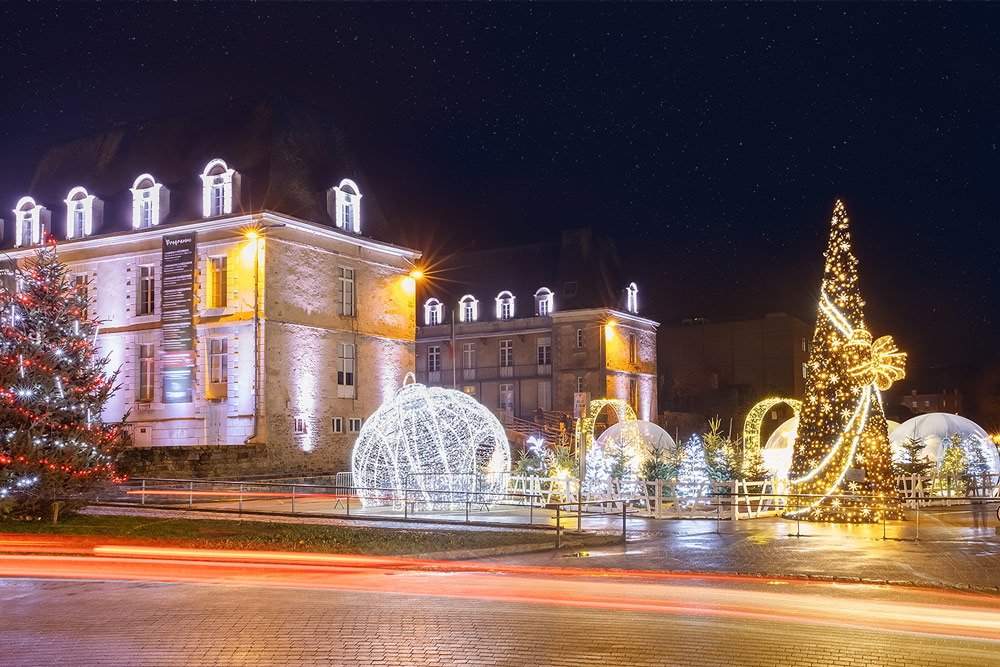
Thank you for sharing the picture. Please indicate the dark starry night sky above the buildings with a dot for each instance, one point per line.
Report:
(709, 140)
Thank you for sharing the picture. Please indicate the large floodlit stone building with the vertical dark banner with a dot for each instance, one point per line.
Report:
(227, 253)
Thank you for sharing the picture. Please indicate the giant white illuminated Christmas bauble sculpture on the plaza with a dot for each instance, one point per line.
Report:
(438, 447)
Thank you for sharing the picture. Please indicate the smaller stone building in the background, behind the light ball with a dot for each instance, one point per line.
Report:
(526, 328)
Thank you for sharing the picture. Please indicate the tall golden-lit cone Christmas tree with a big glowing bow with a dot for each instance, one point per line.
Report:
(842, 465)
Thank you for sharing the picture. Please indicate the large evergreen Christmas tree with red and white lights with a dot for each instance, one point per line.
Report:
(54, 446)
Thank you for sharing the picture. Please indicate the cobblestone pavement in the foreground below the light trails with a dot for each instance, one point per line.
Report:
(128, 623)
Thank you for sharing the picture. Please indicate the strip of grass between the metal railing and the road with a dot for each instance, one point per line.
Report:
(269, 536)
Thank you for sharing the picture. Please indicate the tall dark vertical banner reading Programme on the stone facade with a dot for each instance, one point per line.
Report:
(177, 308)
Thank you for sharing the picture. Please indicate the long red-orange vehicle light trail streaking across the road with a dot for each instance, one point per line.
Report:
(734, 596)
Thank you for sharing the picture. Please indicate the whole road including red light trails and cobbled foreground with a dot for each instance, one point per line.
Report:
(152, 609)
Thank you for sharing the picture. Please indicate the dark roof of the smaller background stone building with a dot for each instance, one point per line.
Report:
(581, 257)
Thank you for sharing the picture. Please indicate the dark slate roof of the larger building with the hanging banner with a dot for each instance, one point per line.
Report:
(288, 155)
